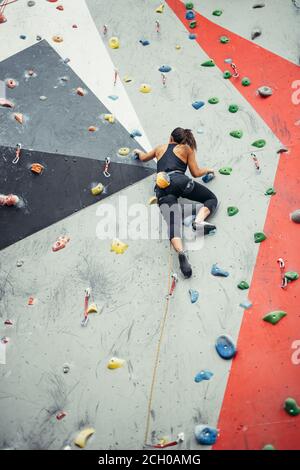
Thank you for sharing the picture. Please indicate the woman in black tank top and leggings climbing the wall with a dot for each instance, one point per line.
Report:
(172, 183)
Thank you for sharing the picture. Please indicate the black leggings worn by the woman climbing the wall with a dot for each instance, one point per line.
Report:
(182, 186)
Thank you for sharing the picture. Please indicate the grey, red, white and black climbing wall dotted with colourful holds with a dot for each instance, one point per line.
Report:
(93, 353)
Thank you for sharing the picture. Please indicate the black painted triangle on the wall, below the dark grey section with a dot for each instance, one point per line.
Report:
(63, 188)
